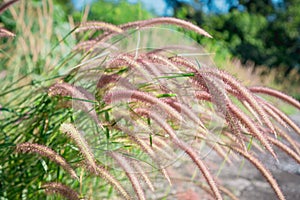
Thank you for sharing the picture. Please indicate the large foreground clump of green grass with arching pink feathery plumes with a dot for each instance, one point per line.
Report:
(141, 105)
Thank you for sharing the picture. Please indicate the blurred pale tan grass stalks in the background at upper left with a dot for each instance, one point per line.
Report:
(41, 45)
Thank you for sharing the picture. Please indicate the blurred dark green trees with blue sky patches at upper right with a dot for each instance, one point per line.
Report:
(264, 31)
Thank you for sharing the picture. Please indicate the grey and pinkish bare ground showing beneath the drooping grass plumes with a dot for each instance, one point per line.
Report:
(245, 181)
